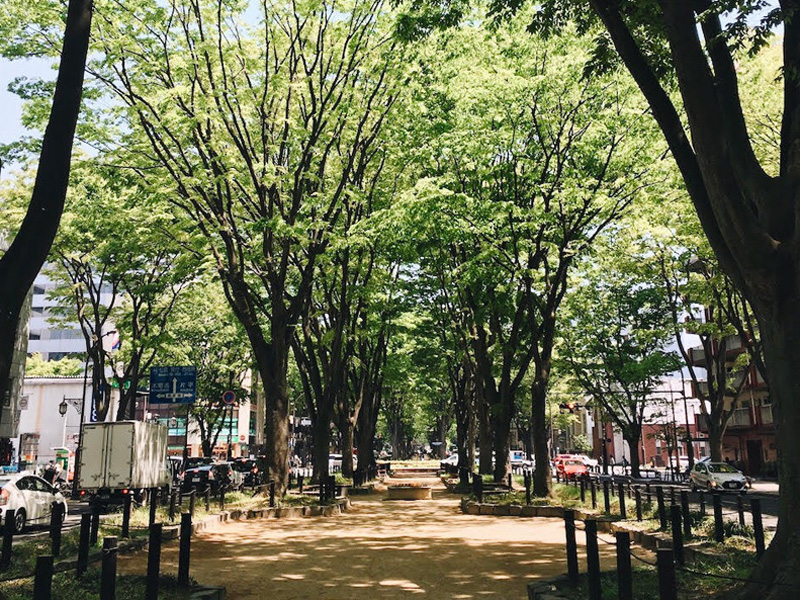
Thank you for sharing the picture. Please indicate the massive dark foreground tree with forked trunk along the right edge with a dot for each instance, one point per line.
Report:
(748, 215)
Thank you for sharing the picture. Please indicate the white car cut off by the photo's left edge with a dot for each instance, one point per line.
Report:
(30, 496)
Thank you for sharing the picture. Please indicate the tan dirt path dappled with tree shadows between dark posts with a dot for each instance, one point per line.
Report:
(378, 550)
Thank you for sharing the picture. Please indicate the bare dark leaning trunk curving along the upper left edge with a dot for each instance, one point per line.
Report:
(31, 245)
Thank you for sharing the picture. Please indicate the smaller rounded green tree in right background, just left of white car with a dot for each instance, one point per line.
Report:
(615, 341)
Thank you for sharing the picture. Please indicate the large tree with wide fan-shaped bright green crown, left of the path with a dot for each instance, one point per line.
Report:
(259, 137)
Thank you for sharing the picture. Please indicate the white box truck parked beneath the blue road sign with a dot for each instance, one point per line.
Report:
(124, 457)
